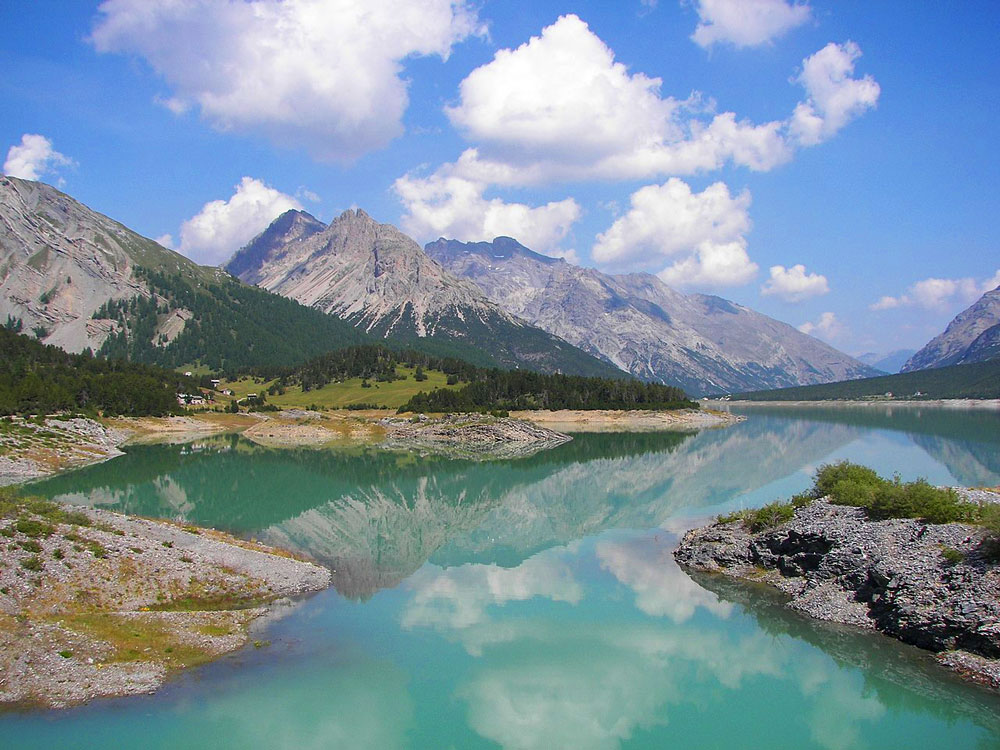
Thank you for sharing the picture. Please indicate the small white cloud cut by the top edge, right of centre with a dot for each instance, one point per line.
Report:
(746, 23)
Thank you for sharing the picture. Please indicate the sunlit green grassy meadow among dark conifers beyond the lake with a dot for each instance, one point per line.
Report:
(342, 395)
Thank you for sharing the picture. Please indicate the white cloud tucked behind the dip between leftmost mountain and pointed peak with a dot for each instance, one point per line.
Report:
(223, 227)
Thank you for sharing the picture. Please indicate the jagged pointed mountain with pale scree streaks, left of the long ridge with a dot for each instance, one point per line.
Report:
(378, 279)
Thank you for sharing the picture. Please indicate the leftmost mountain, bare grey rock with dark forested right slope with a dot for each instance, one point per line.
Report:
(77, 279)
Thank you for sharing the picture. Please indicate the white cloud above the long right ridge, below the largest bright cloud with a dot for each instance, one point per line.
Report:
(702, 233)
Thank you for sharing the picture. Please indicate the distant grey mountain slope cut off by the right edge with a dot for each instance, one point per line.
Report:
(973, 336)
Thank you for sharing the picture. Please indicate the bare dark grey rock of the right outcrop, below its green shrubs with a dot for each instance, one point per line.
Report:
(929, 585)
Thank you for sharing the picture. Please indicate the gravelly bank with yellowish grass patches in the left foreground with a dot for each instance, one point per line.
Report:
(96, 604)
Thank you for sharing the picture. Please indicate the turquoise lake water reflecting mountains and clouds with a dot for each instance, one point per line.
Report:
(534, 603)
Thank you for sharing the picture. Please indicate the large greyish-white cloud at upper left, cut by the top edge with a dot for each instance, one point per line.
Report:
(320, 74)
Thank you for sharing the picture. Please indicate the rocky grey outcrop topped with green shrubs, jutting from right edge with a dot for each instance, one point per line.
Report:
(912, 561)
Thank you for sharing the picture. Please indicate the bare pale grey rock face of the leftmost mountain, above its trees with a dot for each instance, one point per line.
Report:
(60, 261)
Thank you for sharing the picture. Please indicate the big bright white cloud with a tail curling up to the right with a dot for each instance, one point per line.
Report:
(559, 108)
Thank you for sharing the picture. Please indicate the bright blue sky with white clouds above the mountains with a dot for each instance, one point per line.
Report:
(832, 164)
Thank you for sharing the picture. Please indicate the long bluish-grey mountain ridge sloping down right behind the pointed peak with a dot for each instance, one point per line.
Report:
(703, 343)
